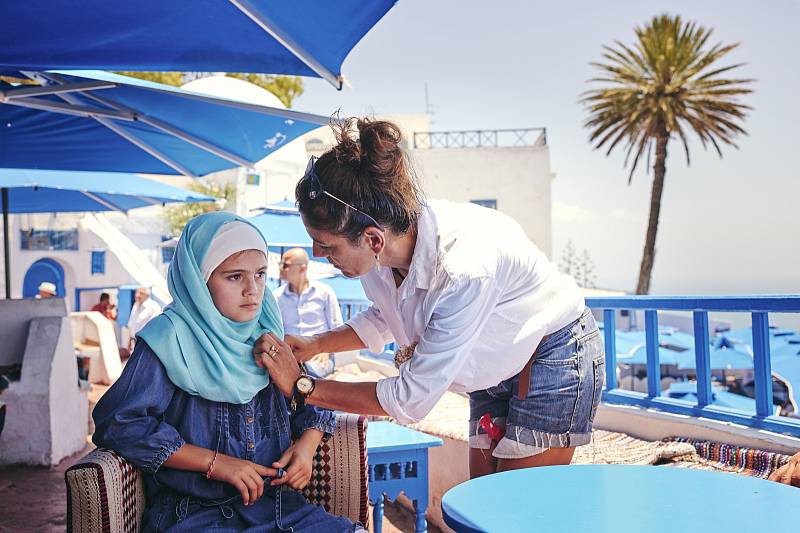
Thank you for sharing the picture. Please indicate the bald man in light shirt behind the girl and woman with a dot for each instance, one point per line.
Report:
(307, 307)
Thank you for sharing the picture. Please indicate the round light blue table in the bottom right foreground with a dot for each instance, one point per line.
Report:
(619, 499)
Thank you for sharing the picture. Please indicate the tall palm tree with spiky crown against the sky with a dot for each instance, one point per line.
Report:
(665, 86)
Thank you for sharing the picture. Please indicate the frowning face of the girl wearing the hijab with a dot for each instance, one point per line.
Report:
(237, 285)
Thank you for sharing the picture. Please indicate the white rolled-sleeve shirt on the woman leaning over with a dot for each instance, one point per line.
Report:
(478, 298)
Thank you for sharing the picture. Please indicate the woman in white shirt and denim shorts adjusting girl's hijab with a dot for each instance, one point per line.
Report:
(472, 303)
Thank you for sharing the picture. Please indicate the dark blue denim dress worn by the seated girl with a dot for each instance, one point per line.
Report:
(145, 418)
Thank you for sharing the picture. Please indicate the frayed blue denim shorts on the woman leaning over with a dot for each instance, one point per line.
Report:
(566, 382)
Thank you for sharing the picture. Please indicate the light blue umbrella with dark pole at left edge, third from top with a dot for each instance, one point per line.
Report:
(42, 191)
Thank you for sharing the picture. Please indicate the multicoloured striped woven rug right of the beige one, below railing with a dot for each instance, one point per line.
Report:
(718, 456)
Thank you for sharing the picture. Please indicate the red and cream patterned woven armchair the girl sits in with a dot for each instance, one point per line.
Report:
(105, 493)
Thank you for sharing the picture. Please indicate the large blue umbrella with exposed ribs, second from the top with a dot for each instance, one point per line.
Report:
(106, 122)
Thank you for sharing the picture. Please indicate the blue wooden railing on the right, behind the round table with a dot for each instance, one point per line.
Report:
(758, 307)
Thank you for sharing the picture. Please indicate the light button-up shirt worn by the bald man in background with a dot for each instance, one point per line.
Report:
(314, 311)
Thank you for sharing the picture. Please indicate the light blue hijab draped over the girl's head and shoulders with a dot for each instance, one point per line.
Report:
(205, 353)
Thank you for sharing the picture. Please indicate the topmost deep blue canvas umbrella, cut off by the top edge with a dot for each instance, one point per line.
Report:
(299, 37)
